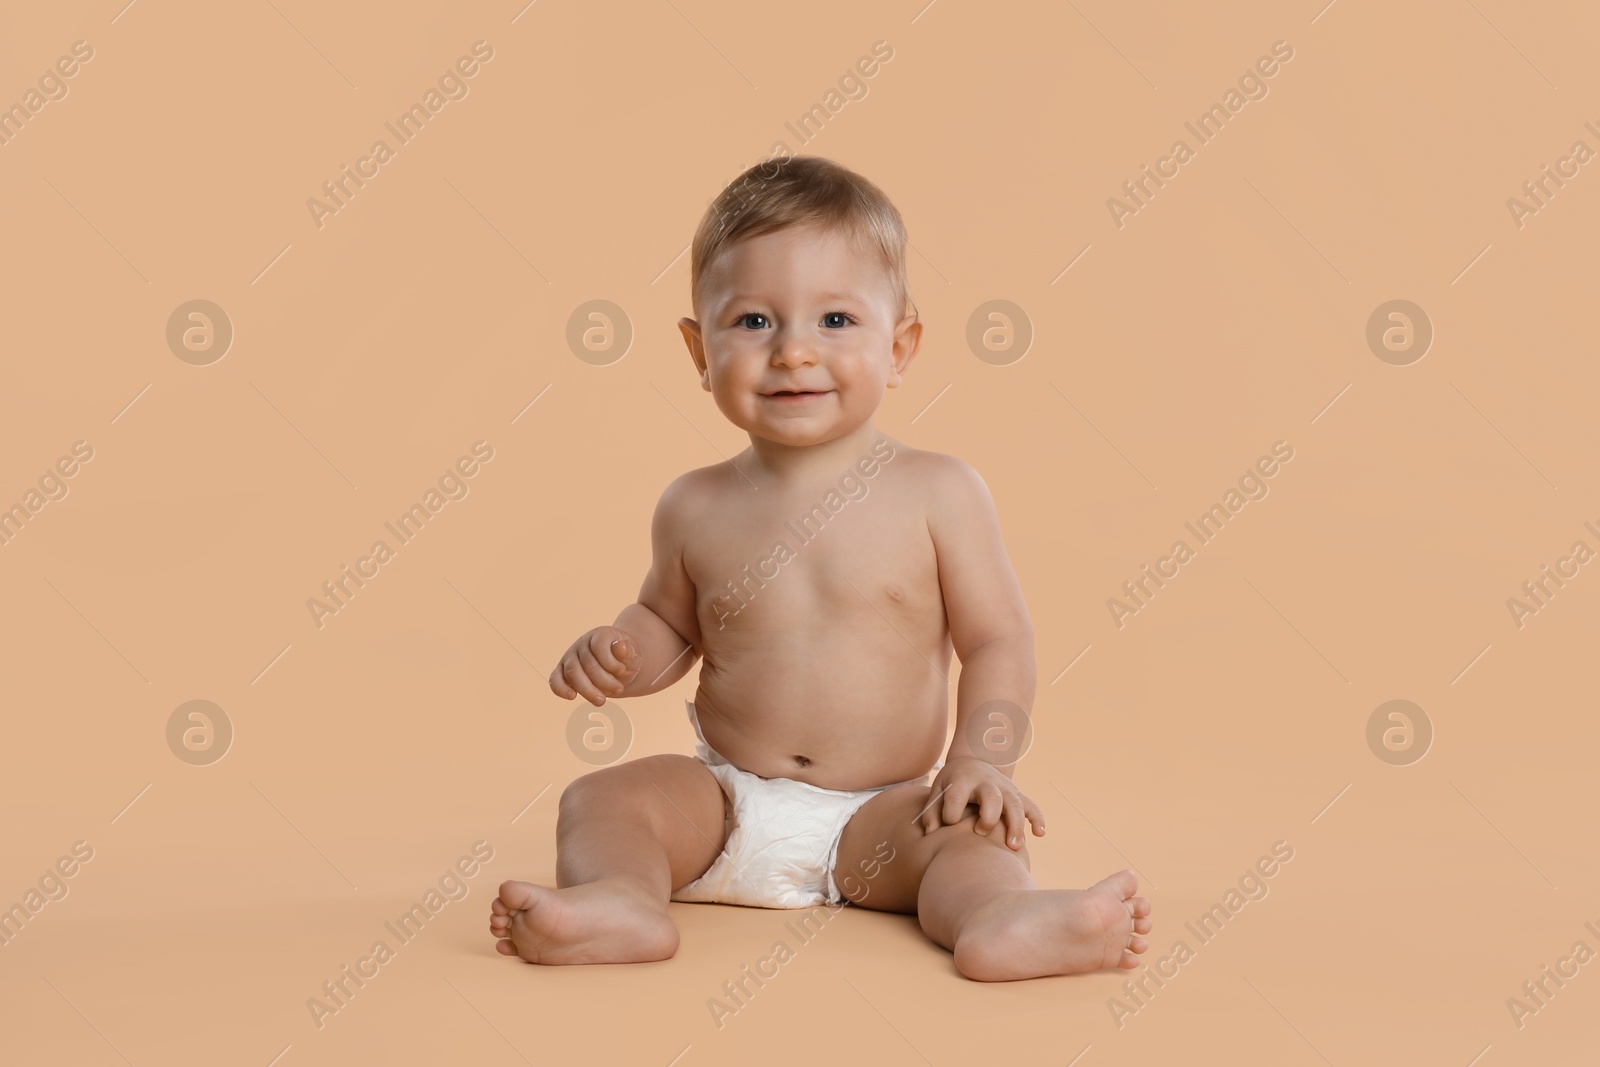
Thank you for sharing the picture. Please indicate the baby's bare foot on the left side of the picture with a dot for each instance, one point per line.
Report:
(599, 922)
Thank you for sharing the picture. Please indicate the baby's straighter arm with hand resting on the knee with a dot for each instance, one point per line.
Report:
(994, 639)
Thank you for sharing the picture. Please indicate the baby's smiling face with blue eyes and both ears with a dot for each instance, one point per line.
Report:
(801, 335)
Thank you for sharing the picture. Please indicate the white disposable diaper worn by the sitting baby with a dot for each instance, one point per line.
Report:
(783, 837)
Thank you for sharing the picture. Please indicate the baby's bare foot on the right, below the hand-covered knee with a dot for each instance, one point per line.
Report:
(1031, 933)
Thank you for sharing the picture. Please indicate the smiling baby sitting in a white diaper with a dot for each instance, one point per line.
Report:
(825, 575)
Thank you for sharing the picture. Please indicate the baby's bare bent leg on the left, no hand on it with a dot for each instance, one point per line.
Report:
(625, 839)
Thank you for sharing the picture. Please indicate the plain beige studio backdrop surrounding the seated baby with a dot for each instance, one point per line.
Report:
(426, 316)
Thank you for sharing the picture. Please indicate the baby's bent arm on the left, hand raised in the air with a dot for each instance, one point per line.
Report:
(646, 649)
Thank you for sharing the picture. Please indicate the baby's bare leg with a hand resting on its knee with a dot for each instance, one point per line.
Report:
(977, 897)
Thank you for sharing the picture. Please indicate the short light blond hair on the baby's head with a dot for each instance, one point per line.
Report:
(798, 191)
